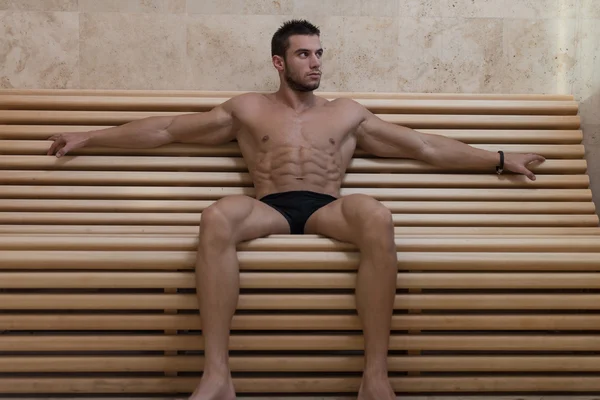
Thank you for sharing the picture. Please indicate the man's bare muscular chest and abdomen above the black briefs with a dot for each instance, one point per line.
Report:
(289, 152)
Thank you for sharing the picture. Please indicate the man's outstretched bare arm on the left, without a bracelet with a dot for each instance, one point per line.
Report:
(213, 127)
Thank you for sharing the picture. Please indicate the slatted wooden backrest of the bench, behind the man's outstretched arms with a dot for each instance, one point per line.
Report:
(164, 190)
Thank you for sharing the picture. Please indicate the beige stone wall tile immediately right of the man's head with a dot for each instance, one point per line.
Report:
(362, 54)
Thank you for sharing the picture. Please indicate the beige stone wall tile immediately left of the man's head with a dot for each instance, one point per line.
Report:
(231, 52)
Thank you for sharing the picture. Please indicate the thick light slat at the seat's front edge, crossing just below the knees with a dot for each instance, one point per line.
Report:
(306, 261)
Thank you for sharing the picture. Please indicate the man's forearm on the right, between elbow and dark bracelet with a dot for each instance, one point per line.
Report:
(449, 153)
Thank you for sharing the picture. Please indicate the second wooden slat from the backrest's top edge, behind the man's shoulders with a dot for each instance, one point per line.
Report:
(198, 104)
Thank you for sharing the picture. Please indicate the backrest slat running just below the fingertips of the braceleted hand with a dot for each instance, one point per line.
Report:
(134, 178)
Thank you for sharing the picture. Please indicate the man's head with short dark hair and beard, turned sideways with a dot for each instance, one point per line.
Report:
(296, 52)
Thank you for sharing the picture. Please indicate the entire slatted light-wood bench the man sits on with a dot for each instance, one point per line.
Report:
(498, 276)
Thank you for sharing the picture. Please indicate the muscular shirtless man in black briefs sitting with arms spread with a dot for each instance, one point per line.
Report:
(297, 147)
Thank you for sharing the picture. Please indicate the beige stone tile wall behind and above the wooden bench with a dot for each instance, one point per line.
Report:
(476, 46)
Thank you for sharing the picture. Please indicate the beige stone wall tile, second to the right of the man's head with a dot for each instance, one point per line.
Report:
(451, 55)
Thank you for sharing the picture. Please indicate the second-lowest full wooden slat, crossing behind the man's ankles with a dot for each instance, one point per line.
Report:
(70, 364)
